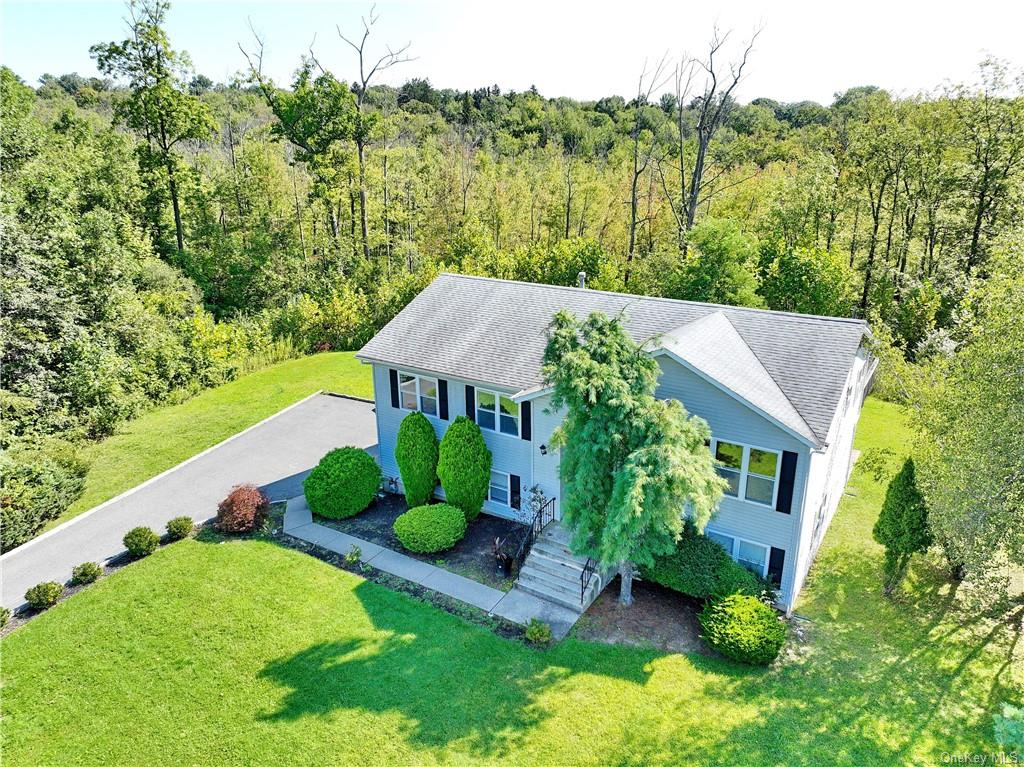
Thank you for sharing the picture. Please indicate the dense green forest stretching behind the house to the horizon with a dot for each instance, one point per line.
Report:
(163, 233)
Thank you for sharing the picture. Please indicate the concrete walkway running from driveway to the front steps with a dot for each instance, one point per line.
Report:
(515, 606)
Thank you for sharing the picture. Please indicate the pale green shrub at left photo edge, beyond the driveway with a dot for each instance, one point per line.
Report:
(40, 480)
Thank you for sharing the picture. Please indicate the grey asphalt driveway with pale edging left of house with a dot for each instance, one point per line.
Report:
(276, 455)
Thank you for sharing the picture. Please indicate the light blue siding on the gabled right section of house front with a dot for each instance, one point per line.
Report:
(732, 420)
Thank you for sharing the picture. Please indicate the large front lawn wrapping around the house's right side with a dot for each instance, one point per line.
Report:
(247, 654)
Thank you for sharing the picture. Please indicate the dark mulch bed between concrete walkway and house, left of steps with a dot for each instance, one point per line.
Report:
(473, 558)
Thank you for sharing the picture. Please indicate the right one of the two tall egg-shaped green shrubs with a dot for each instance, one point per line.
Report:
(464, 467)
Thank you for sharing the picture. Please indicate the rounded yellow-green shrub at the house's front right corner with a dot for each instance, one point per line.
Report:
(744, 628)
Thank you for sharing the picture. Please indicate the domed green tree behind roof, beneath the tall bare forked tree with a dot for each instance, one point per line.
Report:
(719, 269)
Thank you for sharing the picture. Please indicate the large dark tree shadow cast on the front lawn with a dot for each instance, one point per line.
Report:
(452, 683)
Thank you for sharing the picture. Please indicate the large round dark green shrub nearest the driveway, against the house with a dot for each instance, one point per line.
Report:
(344, 484)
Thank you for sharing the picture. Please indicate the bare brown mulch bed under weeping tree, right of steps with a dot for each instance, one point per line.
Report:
(659, 618)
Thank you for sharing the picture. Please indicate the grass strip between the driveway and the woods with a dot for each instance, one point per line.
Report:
(166, 437)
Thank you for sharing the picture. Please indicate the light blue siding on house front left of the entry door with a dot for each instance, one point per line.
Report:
(509, 454)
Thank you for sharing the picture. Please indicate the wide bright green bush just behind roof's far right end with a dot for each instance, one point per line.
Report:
(812, 281)
